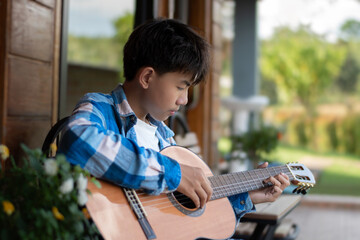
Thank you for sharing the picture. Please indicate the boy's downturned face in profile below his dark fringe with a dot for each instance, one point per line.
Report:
(166, 94)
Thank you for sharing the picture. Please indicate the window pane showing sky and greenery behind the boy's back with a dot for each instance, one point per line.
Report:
(96, 34)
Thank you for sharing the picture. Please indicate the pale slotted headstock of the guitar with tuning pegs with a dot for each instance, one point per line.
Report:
(302, 177)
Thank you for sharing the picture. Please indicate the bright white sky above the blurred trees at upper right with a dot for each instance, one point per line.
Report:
(324, 16)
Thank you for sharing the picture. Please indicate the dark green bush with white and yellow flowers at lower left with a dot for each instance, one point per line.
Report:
(44, 198)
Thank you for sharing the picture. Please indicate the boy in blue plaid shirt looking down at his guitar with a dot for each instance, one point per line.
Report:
(118, 137)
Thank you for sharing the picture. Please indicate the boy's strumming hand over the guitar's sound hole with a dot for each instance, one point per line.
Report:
(195, 185)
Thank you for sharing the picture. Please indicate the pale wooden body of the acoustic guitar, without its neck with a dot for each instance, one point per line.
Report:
(115, 219)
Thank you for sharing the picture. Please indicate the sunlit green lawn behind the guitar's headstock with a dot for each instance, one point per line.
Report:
(341, 177)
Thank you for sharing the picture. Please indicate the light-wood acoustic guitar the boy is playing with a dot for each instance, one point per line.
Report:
(127, 214)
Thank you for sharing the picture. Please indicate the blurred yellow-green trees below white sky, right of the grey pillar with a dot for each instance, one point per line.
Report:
(298, 66)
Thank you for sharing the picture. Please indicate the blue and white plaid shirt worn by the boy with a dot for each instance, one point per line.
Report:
(100, 137)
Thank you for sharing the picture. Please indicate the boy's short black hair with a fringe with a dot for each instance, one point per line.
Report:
(166, 45)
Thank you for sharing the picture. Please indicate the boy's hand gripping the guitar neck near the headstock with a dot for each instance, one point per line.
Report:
(270, 194)
